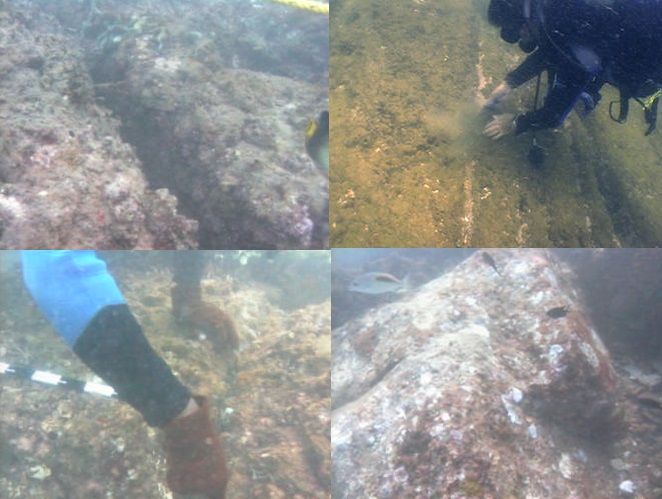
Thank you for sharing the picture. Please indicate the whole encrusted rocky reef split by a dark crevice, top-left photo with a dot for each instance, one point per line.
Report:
(117, 117)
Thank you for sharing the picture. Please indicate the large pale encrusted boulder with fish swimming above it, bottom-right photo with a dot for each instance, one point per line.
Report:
(466, 386)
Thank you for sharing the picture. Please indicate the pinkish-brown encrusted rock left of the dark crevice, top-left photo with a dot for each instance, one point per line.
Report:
(67, 179)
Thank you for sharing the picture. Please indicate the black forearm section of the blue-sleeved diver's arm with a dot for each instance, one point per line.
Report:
(114, 347)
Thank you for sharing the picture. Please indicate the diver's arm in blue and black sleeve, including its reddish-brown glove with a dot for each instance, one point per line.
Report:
(82, 301)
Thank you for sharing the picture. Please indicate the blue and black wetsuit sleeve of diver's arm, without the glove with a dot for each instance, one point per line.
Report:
(83, 302)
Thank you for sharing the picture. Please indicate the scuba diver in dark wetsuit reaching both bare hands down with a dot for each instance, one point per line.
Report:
(581, 44)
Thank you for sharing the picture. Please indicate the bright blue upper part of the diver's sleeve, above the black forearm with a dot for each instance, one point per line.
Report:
(70, 288)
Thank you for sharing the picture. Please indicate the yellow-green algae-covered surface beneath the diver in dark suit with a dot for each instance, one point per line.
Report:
(411, 168)
